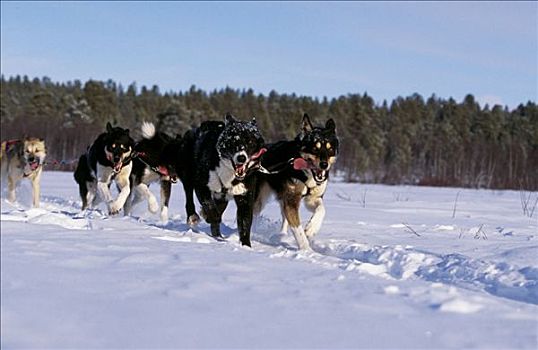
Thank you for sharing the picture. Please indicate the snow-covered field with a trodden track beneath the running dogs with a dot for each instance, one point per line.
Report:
(392, 268)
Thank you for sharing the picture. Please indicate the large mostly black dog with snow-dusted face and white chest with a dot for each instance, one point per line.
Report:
(225, 156)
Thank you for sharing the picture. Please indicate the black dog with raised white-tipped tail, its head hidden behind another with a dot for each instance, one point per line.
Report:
(157, 157)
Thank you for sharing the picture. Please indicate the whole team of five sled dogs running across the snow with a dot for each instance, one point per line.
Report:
(219, 161)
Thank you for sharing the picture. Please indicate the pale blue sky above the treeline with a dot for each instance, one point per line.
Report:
(384, 49)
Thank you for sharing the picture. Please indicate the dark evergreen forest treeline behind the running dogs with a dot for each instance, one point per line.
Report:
(410, 140)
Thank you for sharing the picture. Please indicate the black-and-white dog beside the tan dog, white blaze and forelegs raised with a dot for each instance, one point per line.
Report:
(108, 159)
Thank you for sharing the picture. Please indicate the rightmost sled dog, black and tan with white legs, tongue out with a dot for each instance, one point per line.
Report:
(299, 169)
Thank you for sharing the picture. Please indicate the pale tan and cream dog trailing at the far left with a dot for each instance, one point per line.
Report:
(23, 159)
